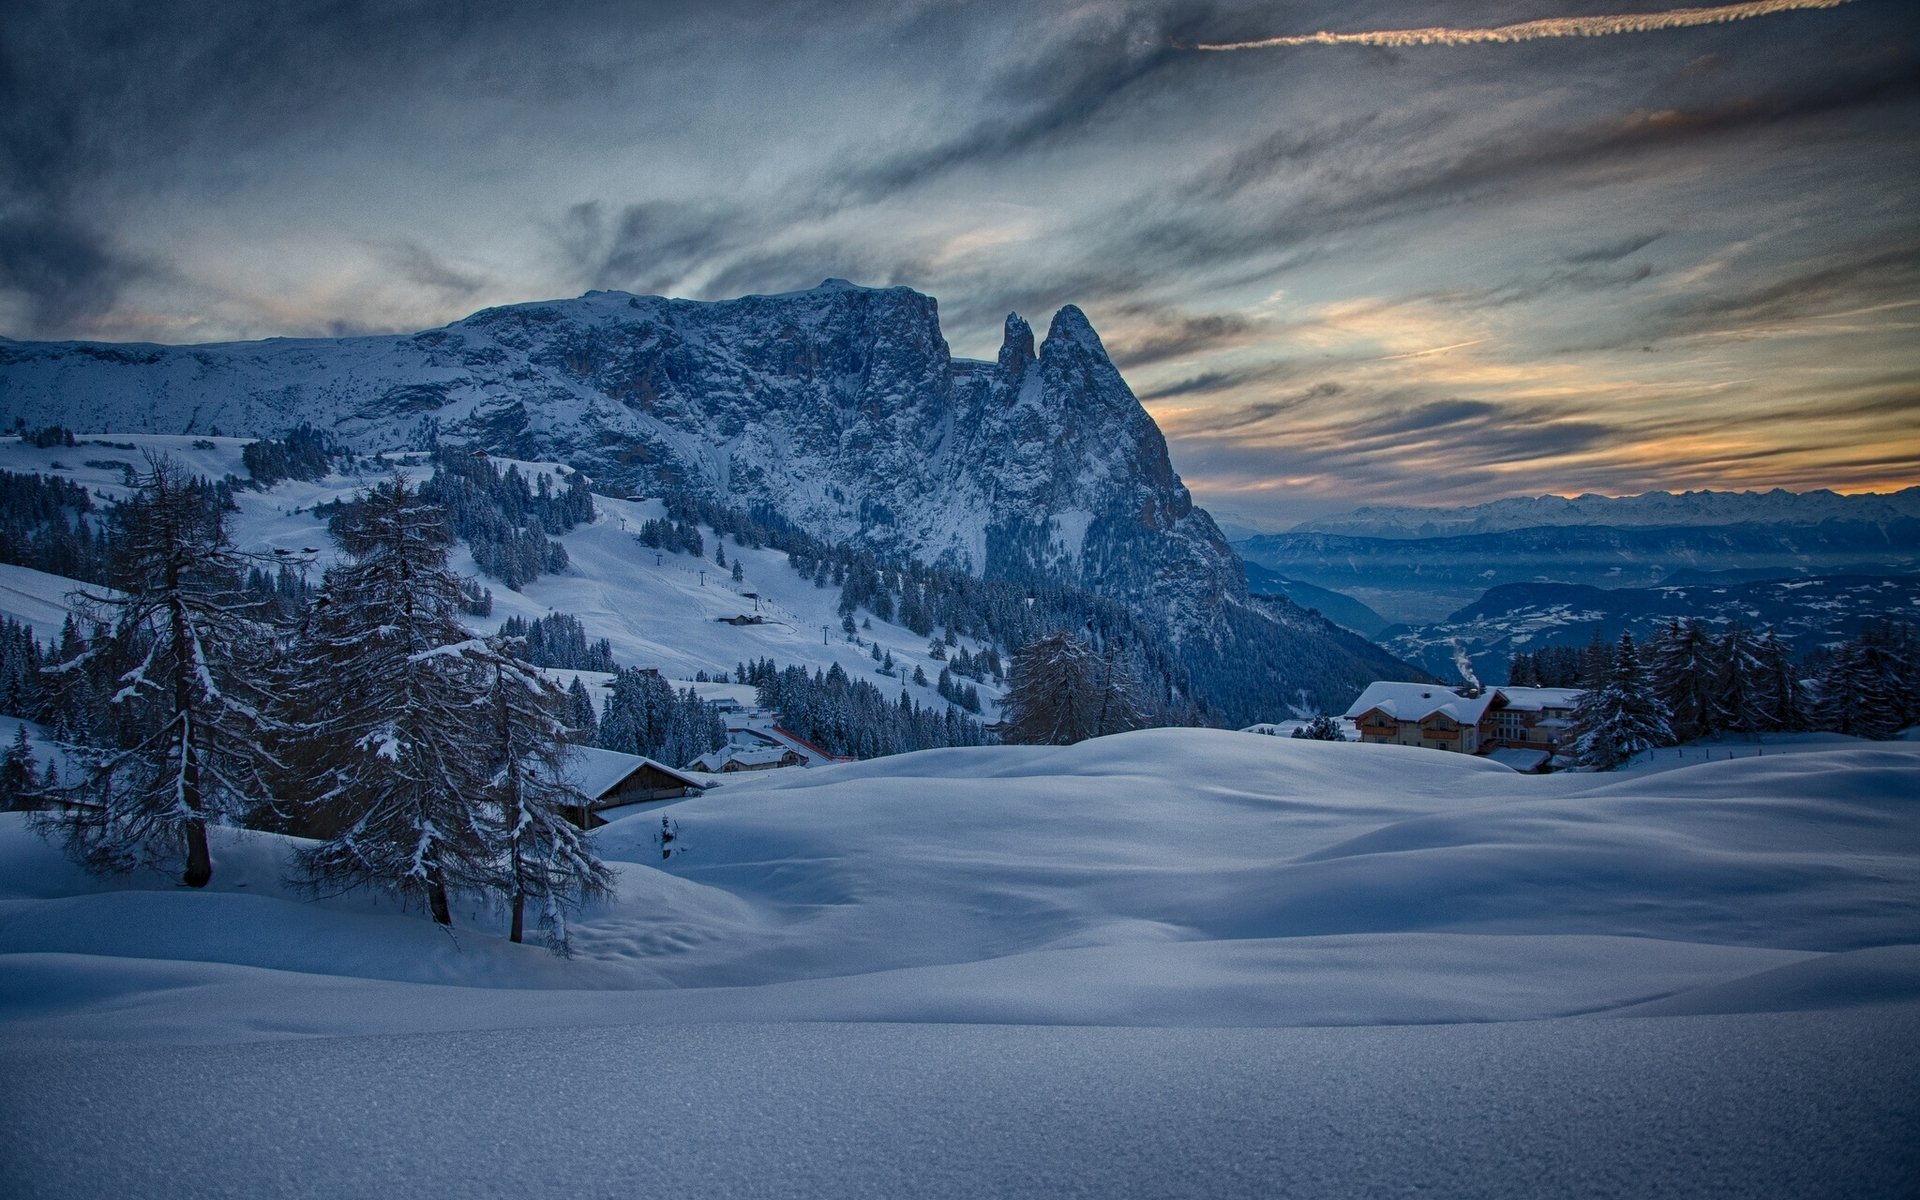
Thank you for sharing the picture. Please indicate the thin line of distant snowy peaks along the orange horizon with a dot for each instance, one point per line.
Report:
(1627, 512)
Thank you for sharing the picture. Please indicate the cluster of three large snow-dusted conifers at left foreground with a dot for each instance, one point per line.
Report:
(420, 759)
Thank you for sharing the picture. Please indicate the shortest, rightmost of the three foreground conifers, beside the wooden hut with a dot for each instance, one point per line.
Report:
(546, 859)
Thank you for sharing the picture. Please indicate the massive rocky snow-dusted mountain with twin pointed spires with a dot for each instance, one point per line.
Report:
(836, 410)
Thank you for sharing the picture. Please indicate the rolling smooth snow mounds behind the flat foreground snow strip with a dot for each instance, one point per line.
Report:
(1159, 878)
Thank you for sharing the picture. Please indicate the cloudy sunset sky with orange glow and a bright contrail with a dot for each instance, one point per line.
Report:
(1656, 252)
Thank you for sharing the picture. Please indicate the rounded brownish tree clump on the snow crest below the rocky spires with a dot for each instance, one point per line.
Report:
(1063, 690)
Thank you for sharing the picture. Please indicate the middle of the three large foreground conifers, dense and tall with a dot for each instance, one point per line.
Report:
(391, 700)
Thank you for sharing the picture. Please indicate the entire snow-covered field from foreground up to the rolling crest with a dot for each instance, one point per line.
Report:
(1159, 965)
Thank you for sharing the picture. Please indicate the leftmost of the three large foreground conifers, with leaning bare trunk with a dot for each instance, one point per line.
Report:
(187, 711)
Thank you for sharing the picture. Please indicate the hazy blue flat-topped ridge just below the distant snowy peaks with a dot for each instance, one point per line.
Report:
(1420, 581)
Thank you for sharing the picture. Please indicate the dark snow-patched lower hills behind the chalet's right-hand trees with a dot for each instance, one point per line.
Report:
(1525, 617)
